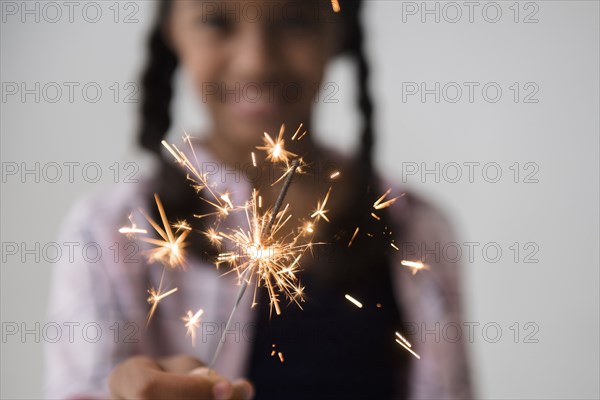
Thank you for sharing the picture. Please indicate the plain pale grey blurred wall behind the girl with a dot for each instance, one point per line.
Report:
(489, 109)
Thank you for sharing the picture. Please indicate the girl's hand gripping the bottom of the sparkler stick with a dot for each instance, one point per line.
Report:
(179, 377)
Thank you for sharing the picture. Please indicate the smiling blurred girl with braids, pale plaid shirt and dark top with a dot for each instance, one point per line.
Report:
(242, 60)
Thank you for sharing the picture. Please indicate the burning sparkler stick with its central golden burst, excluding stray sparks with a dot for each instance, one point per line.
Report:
(274, 262)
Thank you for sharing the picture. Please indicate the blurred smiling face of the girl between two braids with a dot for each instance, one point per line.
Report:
(254, 64)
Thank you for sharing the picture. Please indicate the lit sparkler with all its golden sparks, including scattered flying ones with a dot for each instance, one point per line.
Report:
(269, 256)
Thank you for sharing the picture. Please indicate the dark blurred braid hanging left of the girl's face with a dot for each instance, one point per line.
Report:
(157, 86)
